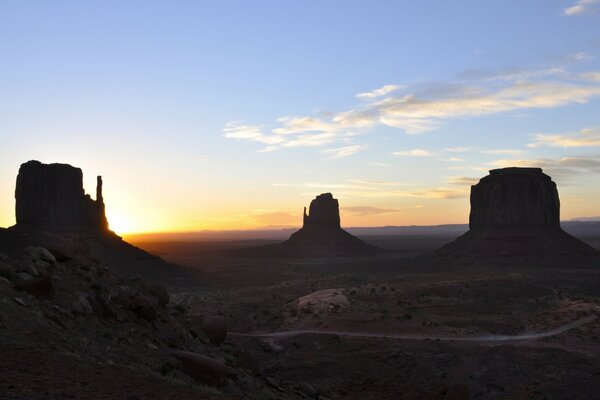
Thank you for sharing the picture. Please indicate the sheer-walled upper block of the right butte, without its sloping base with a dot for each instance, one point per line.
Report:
(515, 198)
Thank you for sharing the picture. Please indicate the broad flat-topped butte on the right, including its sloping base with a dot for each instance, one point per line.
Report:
(515, 217)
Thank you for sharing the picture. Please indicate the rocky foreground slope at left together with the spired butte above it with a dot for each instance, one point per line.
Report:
(77, 320)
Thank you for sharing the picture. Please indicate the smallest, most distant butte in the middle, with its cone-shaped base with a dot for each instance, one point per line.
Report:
(321, 232)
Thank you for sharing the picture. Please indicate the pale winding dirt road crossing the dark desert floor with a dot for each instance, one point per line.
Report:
(480, 338)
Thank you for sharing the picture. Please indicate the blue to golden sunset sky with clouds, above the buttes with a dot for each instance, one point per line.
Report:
(235, 114)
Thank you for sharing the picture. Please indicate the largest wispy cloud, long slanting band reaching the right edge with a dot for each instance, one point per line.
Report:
(422, 108)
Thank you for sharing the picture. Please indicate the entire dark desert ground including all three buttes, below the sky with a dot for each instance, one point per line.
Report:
(514, 315)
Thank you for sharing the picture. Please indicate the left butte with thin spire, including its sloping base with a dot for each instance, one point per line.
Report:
(53, 212)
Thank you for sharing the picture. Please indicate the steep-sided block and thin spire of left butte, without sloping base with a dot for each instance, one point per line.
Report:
(52, 196)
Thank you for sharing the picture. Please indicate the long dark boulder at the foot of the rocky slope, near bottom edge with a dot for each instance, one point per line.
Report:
(204, 369)
